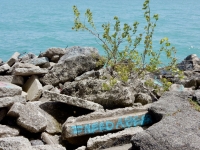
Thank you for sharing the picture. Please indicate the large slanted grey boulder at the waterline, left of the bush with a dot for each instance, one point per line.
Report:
(75, 62)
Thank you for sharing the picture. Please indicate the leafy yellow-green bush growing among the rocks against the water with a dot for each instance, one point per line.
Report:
(129, 61)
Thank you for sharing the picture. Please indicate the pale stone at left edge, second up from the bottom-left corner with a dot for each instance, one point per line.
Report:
(6, 131)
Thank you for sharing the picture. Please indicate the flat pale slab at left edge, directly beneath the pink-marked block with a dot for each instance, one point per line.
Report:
(9, 101)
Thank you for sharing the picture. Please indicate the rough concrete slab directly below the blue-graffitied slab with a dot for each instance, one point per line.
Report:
(112, 139)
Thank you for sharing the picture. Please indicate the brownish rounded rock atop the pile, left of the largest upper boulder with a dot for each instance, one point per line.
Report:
(53, 53)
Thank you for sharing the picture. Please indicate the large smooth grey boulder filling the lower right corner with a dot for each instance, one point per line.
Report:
(178, 126)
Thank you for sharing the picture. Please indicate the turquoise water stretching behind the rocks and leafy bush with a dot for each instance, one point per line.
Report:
(34, 26)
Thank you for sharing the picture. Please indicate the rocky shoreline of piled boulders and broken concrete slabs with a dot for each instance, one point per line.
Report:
(56, 101)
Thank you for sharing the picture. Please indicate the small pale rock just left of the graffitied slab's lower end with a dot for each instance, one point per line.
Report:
(50, 139)
